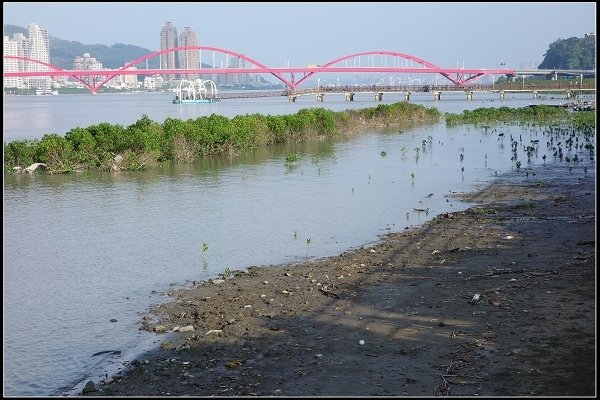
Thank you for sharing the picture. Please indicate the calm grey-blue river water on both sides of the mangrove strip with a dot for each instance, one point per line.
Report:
(80, 250)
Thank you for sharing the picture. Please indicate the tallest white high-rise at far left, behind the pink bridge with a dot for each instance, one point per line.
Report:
(38, 48)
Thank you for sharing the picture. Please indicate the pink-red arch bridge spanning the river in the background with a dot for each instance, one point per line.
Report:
(458, 76)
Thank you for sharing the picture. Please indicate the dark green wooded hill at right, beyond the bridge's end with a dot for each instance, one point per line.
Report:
(571, 53)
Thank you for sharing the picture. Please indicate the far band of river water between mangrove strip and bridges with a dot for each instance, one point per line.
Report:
(30, 117)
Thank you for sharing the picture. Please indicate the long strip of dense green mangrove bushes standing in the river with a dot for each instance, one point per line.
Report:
(147, 143)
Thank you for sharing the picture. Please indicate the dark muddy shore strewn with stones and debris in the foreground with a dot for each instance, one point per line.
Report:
(497, 300)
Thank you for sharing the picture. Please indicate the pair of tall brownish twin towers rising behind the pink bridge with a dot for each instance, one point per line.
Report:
(186, 59)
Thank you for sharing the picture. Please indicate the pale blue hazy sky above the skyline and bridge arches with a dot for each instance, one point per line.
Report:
(482, 35)
